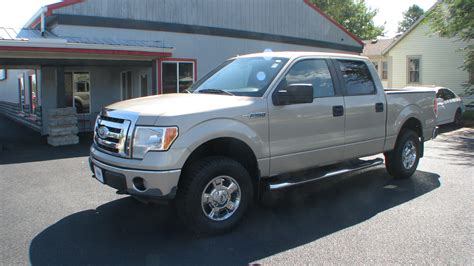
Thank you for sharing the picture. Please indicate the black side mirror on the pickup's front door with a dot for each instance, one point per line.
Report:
(294, 94)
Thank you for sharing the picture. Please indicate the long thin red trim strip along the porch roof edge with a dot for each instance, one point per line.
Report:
(83, 51)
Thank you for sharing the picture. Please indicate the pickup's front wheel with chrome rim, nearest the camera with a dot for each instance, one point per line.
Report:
(206, 186)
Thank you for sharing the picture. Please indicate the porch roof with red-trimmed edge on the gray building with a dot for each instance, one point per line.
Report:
(31, 43)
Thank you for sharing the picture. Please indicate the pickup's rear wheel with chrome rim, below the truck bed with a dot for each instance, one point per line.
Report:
(403, 166)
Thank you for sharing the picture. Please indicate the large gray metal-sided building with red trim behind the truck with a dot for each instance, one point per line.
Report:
(86, 54)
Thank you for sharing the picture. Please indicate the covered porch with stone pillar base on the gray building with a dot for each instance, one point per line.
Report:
(58, 86)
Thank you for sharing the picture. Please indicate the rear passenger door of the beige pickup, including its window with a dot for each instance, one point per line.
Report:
(364, 107)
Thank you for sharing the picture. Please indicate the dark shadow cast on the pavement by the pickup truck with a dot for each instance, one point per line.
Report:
(127, 232)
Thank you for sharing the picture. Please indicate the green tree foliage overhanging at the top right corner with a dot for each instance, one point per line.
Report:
(455, 19)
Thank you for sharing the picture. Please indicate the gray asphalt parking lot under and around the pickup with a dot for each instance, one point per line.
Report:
(53, 212)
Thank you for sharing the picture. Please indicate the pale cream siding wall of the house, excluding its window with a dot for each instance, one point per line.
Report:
(441, 60)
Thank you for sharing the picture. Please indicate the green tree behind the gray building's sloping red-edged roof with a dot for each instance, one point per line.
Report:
(354, 15)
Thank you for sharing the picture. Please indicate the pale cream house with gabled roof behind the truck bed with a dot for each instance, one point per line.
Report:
(422, 58)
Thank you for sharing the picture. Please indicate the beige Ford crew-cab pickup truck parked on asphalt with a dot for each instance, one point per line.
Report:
(258, 123)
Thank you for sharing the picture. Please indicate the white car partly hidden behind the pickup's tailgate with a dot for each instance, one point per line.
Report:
(450, 107)
